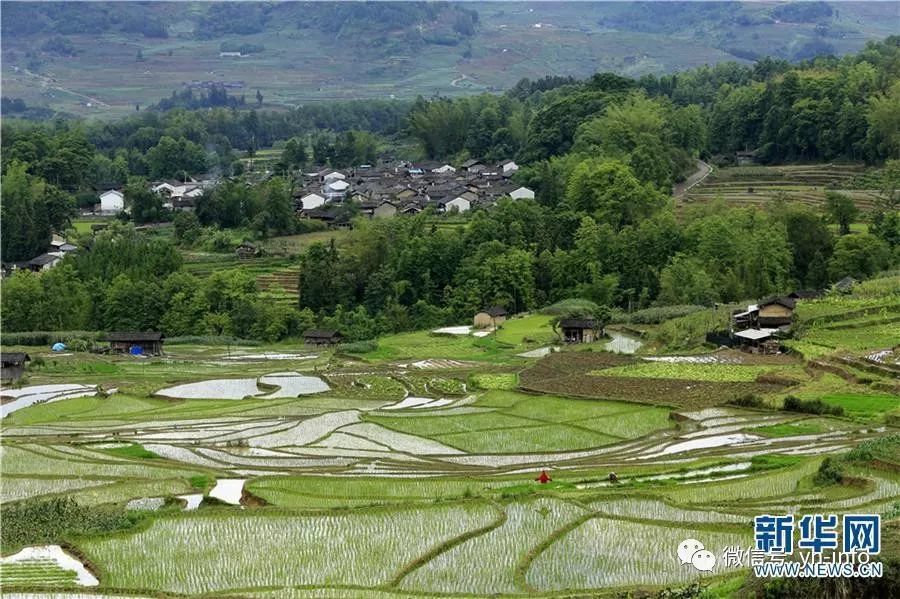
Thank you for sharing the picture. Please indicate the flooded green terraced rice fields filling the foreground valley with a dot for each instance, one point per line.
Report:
(413, 473)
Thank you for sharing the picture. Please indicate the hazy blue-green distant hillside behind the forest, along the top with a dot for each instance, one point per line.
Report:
(104, 58)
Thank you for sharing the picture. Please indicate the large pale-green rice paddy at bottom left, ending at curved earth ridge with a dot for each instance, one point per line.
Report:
(204, 554)
